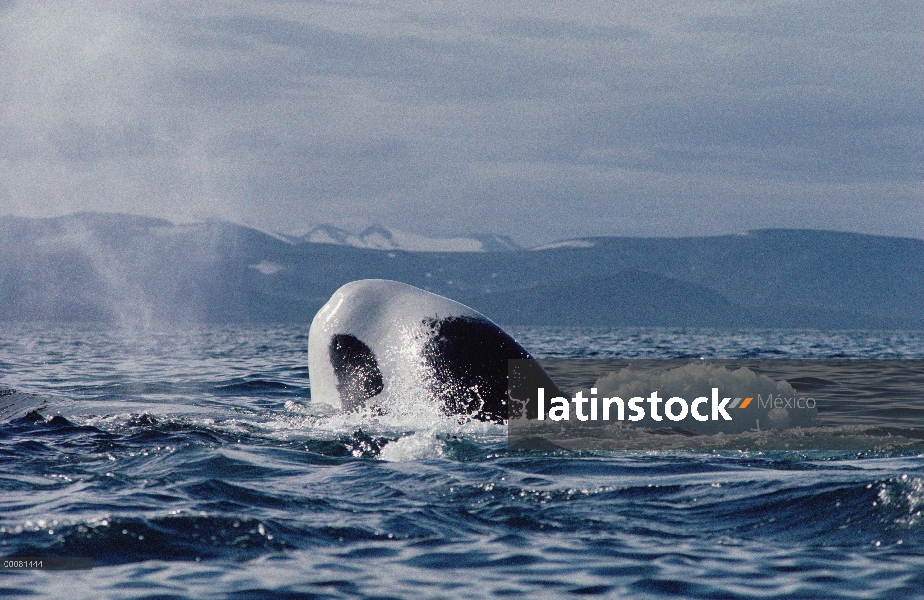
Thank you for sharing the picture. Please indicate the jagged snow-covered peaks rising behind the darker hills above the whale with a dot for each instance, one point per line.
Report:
(385, 238)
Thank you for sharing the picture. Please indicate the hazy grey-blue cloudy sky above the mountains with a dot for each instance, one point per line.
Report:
(537, 120)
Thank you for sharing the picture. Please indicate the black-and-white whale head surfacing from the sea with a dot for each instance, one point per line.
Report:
(377, 341)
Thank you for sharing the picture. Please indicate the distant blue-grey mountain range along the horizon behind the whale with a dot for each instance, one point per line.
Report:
(136, 271)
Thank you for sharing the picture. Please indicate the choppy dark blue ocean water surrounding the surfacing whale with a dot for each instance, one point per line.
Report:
(193, 463)
